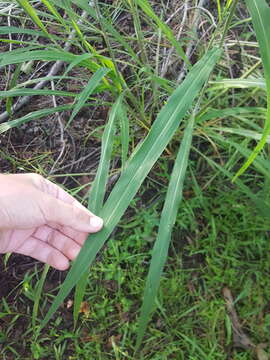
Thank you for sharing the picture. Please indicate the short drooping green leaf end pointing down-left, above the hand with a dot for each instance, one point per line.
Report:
(84, 95)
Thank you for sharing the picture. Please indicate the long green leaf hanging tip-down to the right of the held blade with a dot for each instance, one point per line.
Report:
(167, 221)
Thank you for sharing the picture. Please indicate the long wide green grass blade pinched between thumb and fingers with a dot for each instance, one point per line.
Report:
(137, 169)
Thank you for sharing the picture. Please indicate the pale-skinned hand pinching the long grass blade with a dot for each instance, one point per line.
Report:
(41, 220)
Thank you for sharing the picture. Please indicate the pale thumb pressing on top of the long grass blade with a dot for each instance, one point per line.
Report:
(73, 215)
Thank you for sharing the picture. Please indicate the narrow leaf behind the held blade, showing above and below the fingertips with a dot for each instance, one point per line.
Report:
(97, 192)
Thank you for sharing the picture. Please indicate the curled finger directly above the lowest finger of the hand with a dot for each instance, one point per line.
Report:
(59, 241)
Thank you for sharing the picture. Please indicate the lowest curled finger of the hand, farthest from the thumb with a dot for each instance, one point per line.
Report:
(41, 251)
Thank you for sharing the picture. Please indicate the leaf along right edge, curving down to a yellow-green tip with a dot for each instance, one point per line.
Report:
(260, 13)
